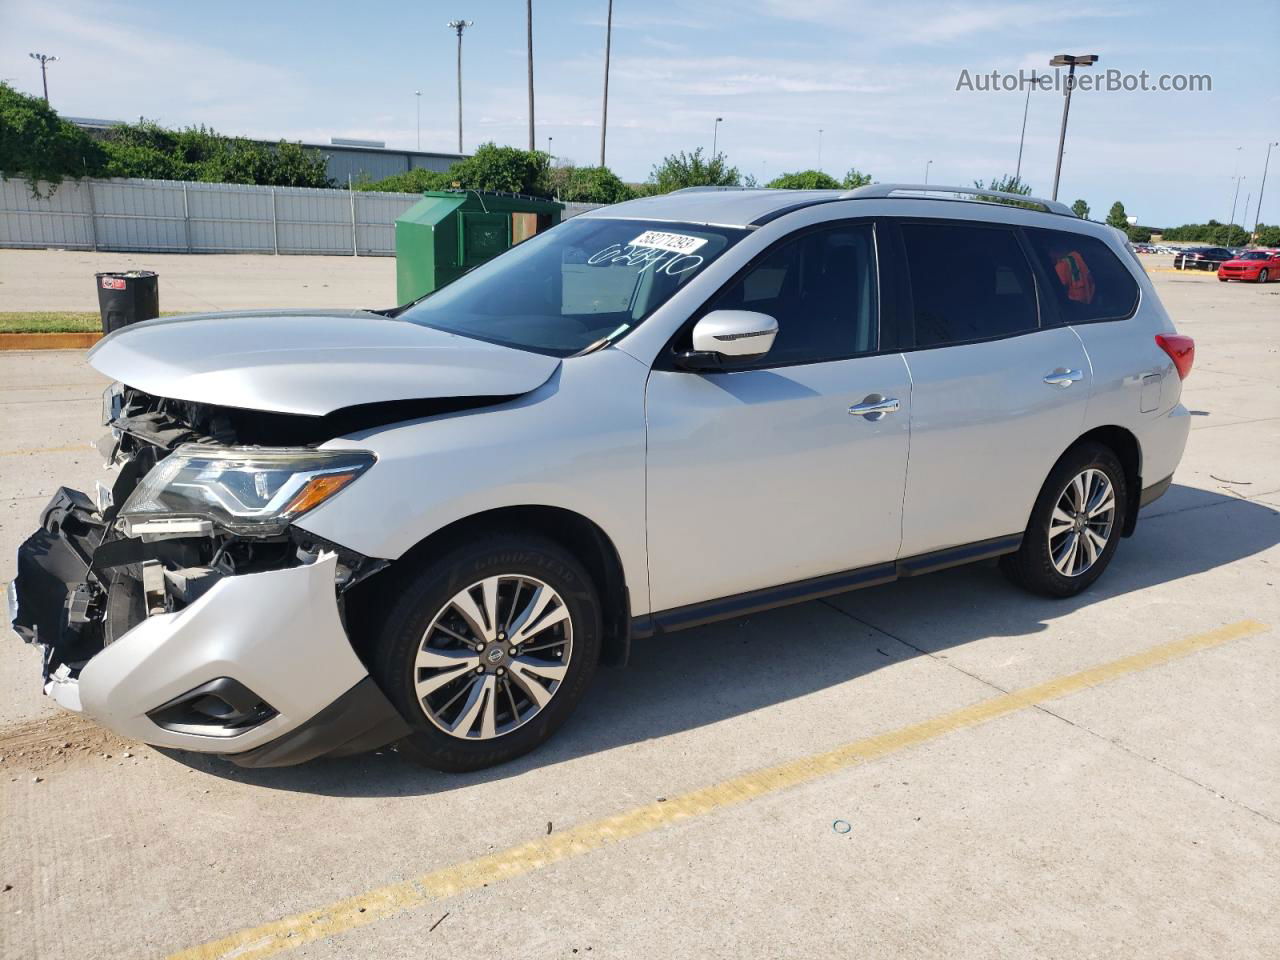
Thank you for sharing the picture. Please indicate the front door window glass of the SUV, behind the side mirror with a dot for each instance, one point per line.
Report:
(821, 289)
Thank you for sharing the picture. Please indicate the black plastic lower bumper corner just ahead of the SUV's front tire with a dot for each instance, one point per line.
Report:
(360, 720)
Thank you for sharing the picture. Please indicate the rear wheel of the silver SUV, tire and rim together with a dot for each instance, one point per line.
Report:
(1076, 524)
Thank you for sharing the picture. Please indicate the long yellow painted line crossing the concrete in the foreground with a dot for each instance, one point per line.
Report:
(364, 909)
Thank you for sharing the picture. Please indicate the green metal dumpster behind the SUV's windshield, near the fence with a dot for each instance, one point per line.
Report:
(449, 232)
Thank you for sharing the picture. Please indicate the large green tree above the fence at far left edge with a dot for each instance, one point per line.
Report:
(38, 144)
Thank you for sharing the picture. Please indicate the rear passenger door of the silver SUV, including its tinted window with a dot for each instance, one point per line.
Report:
(996, 395)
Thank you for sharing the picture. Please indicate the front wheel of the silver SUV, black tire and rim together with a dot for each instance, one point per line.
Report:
(488, 650)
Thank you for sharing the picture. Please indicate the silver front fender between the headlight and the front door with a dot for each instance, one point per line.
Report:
(578, 444)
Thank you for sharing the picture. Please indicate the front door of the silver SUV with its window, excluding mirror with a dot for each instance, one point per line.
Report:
(762, 477)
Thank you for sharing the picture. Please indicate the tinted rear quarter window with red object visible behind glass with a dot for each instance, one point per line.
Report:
(1086, 280)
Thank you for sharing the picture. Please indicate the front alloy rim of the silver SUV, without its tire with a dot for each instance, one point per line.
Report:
(493, 657)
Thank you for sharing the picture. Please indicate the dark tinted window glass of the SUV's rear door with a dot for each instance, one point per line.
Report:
(968, 284)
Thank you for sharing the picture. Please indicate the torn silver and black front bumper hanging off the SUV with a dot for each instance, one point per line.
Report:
(255, 666)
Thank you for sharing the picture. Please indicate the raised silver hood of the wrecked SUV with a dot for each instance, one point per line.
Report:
(312, 362)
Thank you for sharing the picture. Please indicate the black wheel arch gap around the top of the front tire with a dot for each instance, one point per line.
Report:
(580, 536)
